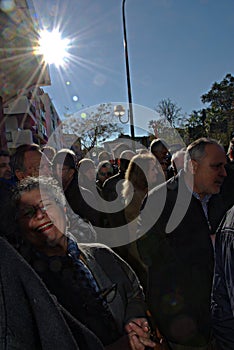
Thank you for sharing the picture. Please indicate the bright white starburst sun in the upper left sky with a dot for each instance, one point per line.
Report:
(53, 47)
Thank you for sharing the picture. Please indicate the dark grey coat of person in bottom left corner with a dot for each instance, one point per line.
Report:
(30, 319)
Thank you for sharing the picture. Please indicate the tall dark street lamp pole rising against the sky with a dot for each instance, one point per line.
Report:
(128, 73)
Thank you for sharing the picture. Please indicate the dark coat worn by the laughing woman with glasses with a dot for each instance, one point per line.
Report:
(58, 273)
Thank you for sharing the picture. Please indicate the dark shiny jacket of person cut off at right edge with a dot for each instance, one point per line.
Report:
(223, 285)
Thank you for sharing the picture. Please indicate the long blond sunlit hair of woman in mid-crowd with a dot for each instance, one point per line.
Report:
(136, 174)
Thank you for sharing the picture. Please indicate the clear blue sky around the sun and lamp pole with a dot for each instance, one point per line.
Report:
(177, 50)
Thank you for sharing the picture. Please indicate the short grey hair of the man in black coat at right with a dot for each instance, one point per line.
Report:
(196, 150)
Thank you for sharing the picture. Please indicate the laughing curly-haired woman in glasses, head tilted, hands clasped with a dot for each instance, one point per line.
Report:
(78, 274)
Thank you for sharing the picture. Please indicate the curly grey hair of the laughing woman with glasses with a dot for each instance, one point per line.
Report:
(47, 185)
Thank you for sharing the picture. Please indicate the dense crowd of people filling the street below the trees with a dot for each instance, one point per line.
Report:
(171, 280)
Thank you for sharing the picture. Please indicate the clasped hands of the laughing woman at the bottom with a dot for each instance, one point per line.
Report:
(139, 334)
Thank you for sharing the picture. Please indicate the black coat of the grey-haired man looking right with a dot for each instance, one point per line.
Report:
(177, 248)
